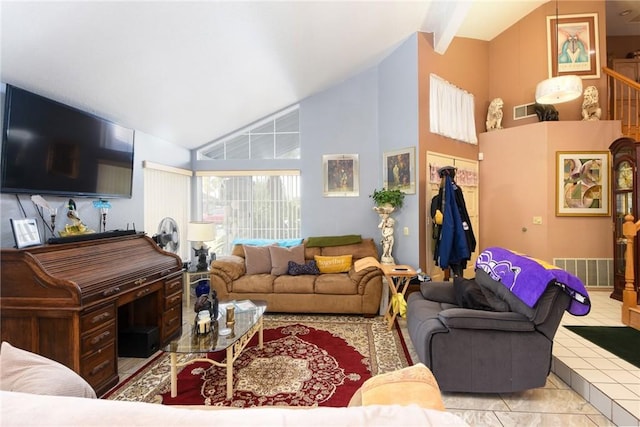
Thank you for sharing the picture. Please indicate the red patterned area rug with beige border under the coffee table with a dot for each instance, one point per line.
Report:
(307, 360)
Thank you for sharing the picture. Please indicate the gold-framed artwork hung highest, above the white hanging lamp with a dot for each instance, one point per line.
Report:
(572, 45)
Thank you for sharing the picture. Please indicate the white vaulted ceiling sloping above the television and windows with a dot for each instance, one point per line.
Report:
(190, 72)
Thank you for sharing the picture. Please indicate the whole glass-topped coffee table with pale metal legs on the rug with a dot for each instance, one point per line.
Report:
(248, 321)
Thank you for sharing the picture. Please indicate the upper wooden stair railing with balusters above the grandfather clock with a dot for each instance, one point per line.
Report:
(623, 102)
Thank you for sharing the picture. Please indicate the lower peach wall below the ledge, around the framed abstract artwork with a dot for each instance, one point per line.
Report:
(517, 182)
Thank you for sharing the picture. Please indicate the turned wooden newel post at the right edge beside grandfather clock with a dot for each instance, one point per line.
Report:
(630, 308)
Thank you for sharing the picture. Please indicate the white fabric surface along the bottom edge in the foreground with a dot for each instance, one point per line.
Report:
(20, 409)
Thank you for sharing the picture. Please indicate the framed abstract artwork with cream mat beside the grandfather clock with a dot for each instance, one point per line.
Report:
(582, 183)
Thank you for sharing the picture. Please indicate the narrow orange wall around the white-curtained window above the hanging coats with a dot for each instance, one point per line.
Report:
(464, 64)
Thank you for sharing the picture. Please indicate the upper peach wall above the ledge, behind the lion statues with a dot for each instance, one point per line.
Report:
(518, 58)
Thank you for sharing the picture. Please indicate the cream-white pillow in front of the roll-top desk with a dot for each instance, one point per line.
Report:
(27, 372)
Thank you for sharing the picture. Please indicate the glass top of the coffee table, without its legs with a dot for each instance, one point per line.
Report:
(247, 315)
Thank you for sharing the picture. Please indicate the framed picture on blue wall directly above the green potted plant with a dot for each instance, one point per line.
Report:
(398, 169)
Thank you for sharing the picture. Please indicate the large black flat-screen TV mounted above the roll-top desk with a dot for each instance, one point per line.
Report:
(51, 148)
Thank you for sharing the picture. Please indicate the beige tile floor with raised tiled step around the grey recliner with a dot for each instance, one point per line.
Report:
(587, 387)
